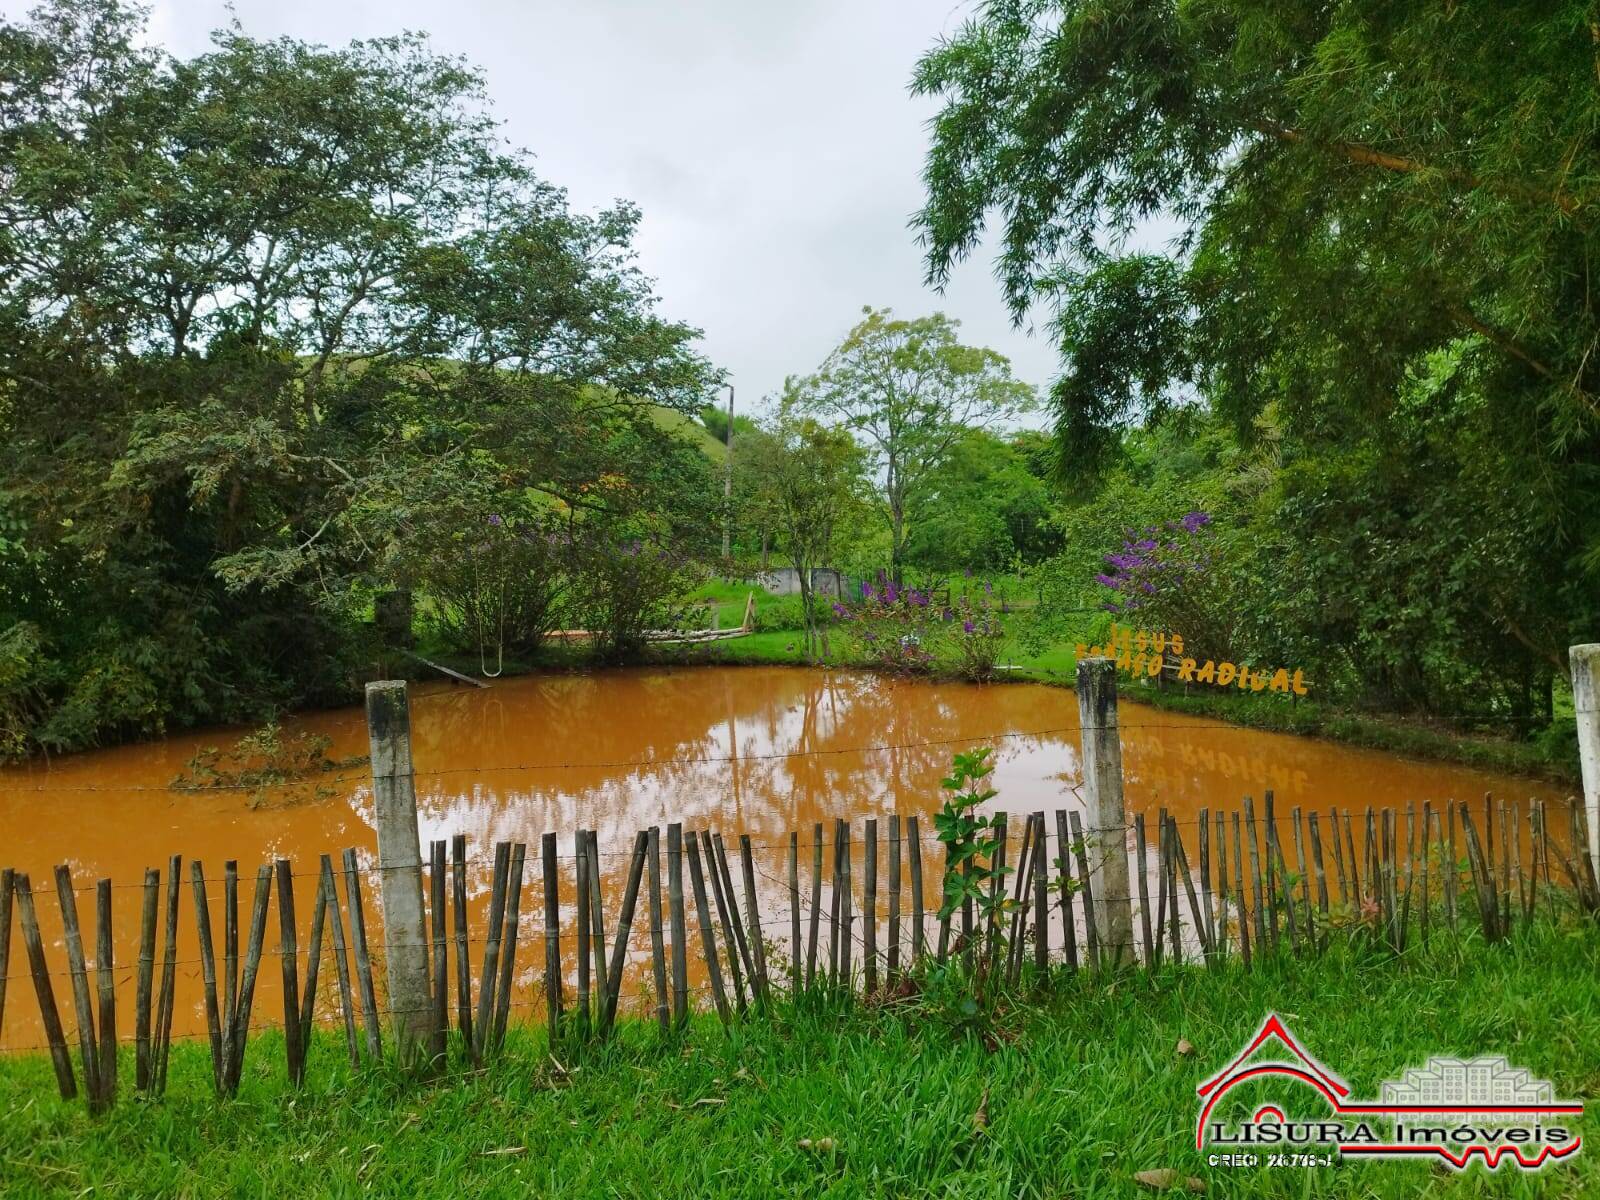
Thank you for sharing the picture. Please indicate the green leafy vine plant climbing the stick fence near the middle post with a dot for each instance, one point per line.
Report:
(972, 874)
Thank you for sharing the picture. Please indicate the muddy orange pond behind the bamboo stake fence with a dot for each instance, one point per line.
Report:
(758, 751)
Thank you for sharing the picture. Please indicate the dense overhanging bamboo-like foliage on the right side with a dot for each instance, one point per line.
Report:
(1372, 350)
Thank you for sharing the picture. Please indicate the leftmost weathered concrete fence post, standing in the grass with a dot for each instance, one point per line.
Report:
(401, 866)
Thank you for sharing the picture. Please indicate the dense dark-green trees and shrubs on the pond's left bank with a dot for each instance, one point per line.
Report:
(286, 326)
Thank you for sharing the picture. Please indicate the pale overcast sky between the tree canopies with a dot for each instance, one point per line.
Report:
(772, 148)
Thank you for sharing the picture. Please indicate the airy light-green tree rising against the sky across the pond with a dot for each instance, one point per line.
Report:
(910, 391)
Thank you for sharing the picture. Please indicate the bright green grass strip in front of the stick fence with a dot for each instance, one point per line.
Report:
(1078, 1094)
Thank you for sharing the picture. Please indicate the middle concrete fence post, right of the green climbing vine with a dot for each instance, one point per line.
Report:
(1108, 841)
